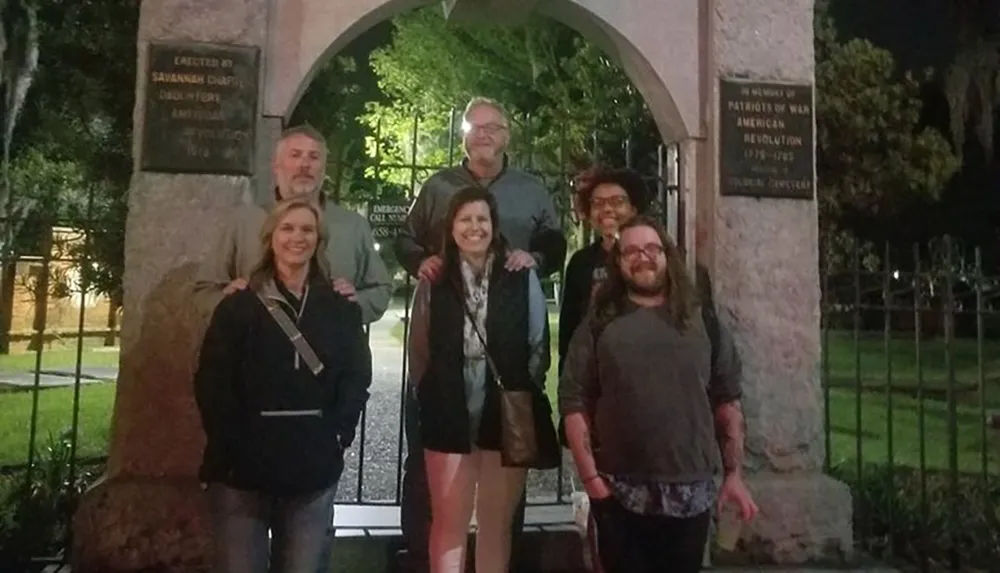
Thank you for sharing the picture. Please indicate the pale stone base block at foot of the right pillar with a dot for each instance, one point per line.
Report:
(804, 518)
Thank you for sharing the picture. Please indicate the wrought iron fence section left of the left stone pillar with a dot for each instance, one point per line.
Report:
(58, 359)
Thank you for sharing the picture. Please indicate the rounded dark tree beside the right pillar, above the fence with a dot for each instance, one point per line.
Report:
(873, 158)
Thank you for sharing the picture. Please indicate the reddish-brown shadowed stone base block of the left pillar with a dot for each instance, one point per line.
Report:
(142, 524)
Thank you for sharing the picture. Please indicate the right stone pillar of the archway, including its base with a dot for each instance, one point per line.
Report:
(763, 257)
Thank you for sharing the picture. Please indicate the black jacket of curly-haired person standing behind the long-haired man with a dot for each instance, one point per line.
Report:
(578, 283)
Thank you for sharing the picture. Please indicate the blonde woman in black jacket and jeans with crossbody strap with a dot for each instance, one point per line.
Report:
(278, 414)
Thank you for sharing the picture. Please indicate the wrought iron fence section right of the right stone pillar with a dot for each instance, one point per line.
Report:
(911, 371)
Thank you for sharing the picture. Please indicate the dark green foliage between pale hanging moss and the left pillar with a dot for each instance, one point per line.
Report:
(80, 110)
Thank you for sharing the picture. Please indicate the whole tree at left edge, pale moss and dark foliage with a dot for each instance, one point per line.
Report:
(81, 57)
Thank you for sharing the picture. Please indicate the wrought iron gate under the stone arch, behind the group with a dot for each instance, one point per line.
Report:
(376, 472)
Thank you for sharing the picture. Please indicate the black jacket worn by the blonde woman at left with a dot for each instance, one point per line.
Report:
(271, 424)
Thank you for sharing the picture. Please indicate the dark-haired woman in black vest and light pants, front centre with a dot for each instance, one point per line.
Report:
(456, 390)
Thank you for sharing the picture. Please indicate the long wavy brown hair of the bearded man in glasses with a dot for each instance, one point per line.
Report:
(679, 290)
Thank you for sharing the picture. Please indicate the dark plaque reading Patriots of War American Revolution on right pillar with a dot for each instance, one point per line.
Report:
(766, 140)
